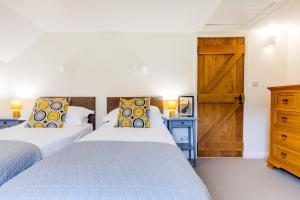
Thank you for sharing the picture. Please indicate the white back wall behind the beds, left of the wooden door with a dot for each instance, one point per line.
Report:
(103, 64)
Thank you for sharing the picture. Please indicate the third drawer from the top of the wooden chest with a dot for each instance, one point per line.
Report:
(287, 138)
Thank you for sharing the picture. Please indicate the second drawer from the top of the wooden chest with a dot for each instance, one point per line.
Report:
(291, 119)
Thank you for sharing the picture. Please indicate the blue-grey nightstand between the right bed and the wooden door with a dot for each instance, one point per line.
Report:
(190, 124)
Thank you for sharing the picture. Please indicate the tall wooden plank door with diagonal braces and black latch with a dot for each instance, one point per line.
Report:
(220, 96)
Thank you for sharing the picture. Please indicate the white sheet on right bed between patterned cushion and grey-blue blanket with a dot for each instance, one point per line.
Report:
(108, 132)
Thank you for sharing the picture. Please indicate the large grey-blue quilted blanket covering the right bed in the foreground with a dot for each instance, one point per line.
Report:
(105, 170)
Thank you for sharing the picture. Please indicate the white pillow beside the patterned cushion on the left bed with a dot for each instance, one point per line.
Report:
(77, 115)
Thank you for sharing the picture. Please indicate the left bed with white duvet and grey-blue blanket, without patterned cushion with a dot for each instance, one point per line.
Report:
(21, 147)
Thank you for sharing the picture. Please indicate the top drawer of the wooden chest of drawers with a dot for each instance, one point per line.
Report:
(286, 100)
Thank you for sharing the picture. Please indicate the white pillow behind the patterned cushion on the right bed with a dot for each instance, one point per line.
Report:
(155, 117)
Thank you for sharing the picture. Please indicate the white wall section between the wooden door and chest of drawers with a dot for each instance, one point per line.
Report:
(268, 68)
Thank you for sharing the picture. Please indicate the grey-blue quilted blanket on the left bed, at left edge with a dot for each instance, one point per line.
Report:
(15, 157)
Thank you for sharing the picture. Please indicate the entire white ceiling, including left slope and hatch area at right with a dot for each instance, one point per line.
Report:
(23, 22)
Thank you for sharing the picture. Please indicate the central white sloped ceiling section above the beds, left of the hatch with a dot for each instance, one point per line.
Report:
(114, 15)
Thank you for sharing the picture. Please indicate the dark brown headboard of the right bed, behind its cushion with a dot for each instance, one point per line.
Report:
(113, 102)
